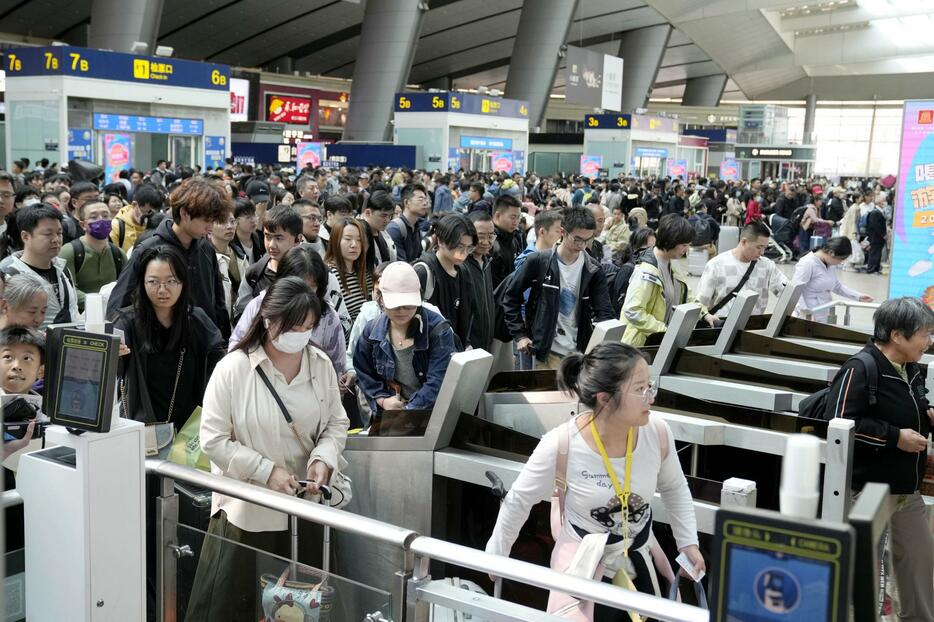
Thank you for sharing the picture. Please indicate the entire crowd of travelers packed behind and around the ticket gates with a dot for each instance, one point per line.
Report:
(295, 306)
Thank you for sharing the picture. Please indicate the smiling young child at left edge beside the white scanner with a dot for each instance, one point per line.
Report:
(22, 351)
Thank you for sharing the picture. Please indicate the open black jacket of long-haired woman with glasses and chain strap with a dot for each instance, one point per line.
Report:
(206, 347)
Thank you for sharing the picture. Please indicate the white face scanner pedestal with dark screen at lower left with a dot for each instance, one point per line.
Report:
(83, 495)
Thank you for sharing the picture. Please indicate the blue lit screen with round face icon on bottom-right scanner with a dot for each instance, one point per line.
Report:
(767, 586)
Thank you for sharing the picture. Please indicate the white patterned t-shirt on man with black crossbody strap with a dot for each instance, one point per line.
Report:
(723, 273)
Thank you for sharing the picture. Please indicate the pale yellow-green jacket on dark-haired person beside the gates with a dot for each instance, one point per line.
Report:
(645, 306)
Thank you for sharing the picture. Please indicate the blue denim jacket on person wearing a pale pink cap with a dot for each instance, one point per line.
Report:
(375, 361)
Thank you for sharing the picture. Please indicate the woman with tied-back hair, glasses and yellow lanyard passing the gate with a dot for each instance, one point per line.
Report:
(614, 450)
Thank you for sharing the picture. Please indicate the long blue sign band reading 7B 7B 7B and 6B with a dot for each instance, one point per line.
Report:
(87, 63)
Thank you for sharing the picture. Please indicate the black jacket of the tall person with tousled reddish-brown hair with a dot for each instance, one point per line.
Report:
(204, 277)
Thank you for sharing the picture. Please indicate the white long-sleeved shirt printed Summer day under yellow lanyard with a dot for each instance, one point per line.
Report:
(591, 502)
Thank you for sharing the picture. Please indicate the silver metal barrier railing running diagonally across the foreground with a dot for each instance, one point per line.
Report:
(411, 593)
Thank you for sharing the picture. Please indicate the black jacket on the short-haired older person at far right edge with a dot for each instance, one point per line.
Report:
(899, 404)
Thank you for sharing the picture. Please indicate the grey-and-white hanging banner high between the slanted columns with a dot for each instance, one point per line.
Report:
(594, 79)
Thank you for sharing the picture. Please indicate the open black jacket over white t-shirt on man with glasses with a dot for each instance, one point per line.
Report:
(541, 313)
